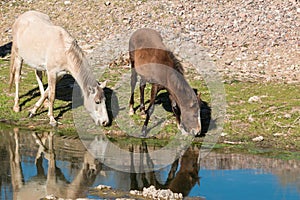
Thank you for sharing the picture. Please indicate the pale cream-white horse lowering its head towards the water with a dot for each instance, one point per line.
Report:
(46, 47)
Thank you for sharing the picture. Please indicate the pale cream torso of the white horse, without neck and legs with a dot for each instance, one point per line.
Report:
(38, 41)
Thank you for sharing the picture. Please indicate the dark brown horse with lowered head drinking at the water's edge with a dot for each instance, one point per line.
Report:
(151, 60)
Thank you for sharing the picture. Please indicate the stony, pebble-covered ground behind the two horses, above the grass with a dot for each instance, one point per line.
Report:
(250, 40)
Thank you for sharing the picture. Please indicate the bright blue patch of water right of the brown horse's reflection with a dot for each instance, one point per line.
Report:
(246, 184)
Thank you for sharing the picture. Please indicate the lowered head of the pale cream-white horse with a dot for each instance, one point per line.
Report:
(94, 103)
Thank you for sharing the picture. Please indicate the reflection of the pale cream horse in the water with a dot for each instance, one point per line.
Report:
(53, 182)
